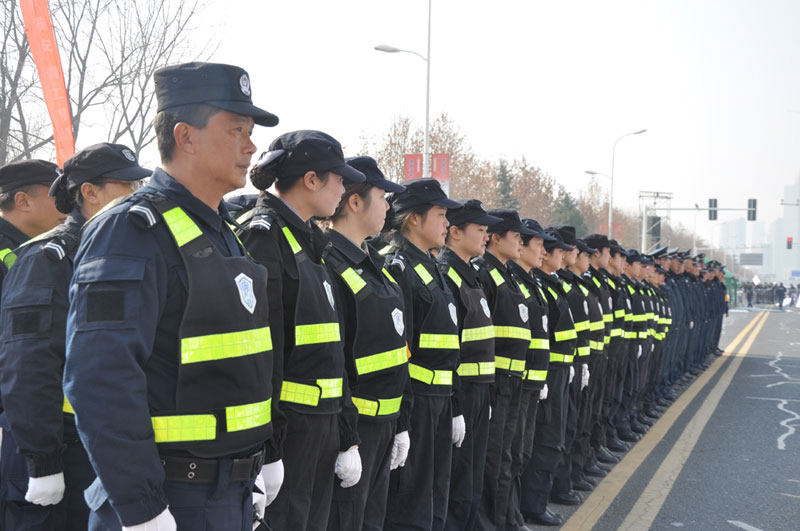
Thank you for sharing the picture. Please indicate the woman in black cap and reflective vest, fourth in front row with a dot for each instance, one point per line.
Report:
(418, 492)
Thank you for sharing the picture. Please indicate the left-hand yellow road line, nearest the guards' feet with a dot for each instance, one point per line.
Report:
(601, 498)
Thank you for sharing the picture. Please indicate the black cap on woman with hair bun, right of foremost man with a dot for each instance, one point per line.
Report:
(293, 154)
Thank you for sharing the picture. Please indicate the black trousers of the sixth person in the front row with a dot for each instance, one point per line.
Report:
(506, 395)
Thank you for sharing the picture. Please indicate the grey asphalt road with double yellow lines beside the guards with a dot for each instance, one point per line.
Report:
(727, 459)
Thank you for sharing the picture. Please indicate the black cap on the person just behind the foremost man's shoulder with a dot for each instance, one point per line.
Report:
(112, 161)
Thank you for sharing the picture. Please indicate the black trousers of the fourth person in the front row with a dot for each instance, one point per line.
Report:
(418, 492)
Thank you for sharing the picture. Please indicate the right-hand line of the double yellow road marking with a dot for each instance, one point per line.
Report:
(646, 509)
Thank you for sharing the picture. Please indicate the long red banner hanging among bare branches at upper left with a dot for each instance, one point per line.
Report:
(42, 40)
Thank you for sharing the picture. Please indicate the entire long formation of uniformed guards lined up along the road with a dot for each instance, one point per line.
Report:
(338, 352)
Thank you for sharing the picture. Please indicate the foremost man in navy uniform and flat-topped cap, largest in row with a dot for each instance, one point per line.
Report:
(169, 354)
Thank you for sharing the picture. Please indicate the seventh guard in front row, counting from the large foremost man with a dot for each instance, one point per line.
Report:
(534, 386)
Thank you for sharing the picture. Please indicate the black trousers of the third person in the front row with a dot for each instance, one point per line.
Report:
(363, 506)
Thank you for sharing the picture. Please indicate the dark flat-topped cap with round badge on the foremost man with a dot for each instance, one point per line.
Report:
(223, 86)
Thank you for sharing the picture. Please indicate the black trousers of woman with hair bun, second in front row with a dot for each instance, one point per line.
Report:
(309, 458)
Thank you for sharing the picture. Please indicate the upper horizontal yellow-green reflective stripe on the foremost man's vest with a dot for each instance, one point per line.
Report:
(224, 346)
